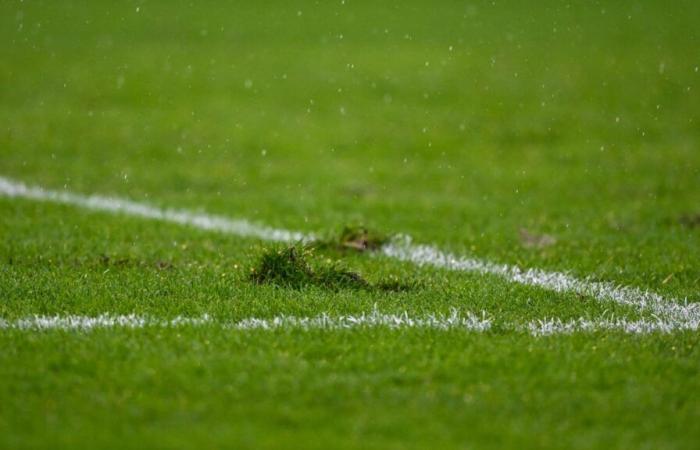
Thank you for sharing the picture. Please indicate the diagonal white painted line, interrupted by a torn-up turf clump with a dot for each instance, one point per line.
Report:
(678, 313)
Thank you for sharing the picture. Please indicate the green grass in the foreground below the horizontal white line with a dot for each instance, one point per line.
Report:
(375, 389)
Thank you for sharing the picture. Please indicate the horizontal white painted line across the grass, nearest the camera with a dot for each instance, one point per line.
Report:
(469, 322)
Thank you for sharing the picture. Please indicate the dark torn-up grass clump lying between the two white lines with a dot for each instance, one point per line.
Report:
(289, 268)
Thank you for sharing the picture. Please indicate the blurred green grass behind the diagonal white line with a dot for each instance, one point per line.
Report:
(460, 123)
